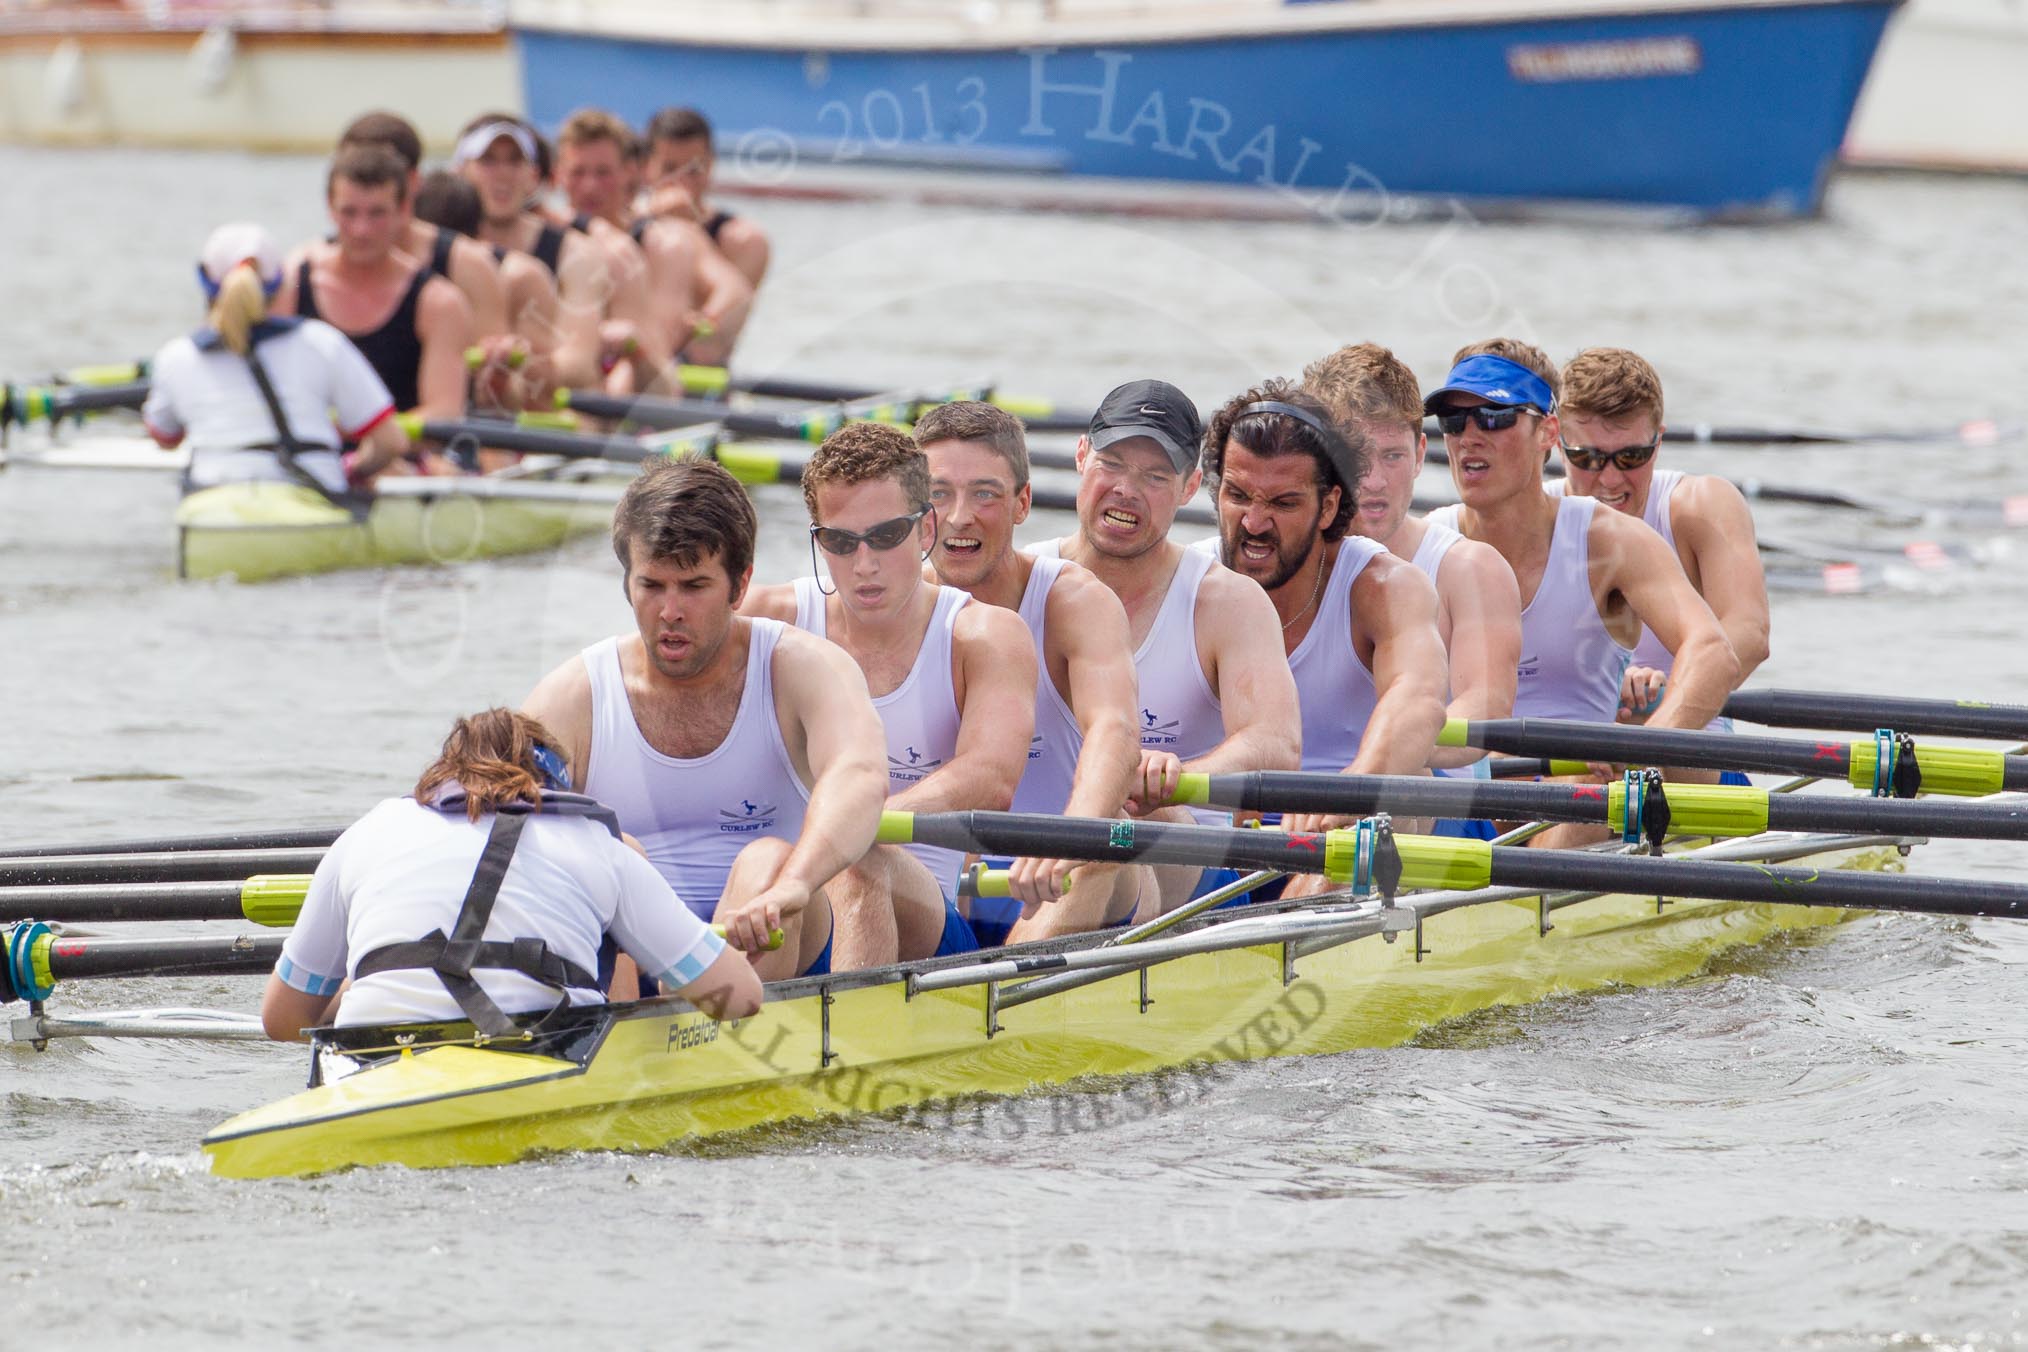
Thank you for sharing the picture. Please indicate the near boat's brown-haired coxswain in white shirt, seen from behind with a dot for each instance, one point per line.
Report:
(496, 869)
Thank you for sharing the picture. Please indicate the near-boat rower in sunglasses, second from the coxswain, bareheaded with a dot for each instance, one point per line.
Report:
(954, 682)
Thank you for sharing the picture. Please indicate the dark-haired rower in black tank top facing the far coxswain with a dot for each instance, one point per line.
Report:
(411, 325)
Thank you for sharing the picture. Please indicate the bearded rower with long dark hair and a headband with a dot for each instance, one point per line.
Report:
(1358, 623)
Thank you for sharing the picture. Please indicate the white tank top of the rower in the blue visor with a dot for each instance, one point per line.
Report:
(1571, 666)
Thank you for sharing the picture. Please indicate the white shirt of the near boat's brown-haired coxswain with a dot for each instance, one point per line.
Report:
(403, 871)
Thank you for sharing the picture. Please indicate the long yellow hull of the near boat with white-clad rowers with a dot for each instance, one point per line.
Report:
(658, 1073)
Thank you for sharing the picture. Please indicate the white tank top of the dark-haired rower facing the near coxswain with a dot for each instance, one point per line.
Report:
(695, 816)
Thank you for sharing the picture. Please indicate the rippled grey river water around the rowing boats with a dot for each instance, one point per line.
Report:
(1816, 1144)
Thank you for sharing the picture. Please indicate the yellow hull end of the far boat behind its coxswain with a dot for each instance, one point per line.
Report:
(257, 532)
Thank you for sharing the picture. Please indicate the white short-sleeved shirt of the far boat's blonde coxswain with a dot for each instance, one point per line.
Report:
(210, 398)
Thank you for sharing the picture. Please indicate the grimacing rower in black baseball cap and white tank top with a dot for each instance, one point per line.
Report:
(1216, 692)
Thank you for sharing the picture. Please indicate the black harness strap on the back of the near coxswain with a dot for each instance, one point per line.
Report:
(457, 956)
